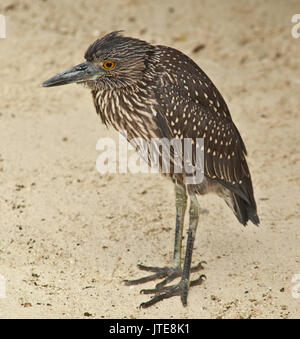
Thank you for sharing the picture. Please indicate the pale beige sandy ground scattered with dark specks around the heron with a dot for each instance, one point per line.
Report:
(69, 236)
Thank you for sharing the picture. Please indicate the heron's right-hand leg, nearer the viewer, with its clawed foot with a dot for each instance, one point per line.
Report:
(164, 292)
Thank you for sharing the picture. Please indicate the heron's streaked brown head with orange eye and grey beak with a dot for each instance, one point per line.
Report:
(113, 61)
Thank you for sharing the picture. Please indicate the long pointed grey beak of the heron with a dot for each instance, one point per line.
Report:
(79, 73)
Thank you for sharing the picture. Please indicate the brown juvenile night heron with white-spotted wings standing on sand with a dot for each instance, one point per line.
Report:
(158, 92)
